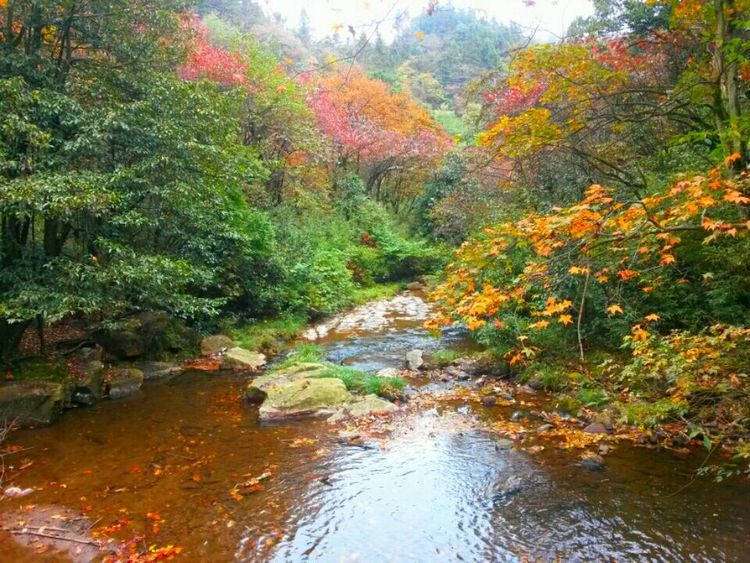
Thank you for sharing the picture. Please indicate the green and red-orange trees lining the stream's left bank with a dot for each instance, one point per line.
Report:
(155, 159)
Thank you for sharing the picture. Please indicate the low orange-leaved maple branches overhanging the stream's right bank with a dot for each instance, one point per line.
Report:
(544, 272)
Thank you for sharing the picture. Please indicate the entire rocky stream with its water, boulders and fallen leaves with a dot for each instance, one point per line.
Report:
(464, 466)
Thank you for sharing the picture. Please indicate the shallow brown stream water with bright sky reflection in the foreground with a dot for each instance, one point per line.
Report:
(433, 489)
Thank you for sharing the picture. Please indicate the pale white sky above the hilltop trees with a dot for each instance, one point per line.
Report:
(551, 17)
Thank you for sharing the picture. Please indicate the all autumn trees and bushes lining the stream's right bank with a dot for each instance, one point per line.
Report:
(623, 152)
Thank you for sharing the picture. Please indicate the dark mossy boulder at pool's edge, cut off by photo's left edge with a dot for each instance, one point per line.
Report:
(31, 403)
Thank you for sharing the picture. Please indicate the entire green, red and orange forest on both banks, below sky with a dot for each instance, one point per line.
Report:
(588, 196)
